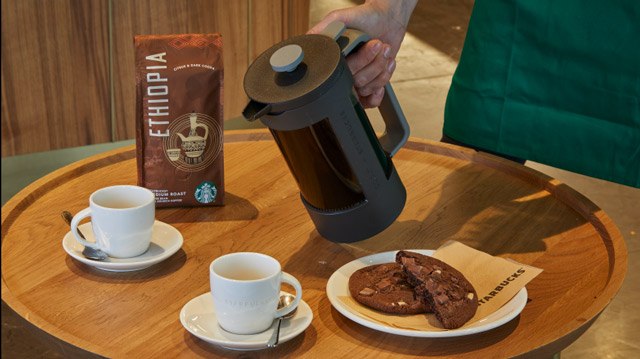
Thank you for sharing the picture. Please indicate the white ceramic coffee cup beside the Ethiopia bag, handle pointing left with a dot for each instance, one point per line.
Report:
(122, 220)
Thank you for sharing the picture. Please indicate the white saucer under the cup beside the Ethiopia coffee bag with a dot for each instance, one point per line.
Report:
(165, 241)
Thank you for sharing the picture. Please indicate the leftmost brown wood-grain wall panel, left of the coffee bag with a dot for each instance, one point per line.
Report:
(55, 75)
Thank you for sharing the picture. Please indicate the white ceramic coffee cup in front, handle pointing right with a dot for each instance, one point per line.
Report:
(245, 288)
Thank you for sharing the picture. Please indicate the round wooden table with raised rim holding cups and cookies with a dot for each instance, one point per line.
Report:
(483, 201)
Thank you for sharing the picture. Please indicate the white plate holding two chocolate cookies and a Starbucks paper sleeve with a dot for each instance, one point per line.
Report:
(338, 286)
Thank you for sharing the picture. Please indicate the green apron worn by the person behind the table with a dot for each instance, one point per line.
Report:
(555, 82)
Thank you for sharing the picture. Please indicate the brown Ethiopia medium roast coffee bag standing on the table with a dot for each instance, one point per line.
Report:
(179, 118)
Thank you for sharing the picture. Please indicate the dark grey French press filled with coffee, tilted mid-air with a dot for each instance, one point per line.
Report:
(302, 90)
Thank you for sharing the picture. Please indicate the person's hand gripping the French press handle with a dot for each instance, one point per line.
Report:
(385, 21)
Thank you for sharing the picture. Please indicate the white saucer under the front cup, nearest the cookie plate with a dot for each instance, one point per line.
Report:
(199, 318)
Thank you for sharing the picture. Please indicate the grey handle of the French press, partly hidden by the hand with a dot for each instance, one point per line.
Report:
(396, 127)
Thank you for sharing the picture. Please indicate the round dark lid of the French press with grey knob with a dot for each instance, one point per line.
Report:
(291, 74)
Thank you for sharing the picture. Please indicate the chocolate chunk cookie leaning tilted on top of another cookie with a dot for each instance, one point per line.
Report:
(449, 294)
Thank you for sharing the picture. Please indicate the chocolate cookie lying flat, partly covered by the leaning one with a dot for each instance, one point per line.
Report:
(385, 287)
